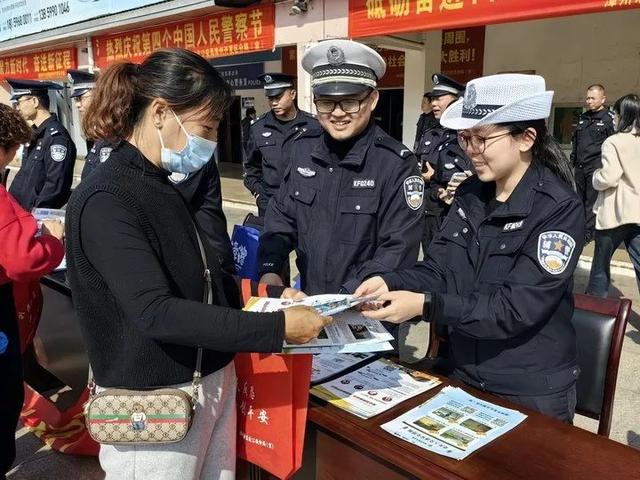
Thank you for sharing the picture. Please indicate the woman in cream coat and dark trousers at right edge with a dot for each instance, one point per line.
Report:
(617, 208)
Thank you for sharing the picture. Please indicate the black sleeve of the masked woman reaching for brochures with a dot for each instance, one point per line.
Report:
(116, 246)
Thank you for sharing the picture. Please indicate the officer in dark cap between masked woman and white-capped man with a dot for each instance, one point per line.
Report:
(270, 137)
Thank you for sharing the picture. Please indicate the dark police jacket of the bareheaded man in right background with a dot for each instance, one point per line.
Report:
(592, 130)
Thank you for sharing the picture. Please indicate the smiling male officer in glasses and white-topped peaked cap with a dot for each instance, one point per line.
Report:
(351, 202)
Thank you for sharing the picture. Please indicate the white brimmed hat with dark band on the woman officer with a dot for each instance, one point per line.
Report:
(508, 97)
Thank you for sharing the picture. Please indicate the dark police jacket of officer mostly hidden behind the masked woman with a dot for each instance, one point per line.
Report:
(200, 190)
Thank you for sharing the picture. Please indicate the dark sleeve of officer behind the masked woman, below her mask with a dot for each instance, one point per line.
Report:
(211, 219)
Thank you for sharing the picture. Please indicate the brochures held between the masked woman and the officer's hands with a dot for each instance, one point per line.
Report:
(350, 332)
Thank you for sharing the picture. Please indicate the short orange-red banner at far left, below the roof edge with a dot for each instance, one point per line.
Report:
(46, 65)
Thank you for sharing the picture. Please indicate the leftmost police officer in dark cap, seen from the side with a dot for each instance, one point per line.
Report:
(46, 174)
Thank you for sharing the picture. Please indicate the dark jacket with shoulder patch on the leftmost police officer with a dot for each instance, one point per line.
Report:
(45, 177)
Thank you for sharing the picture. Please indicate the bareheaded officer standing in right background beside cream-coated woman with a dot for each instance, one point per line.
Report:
(594, 126)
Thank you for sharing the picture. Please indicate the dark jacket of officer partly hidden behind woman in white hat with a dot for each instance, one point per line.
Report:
(440, 148)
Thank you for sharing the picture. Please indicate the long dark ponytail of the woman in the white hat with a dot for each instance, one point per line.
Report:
(546, 149)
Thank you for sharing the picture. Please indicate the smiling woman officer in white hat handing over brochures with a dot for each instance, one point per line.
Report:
(498, 275)
